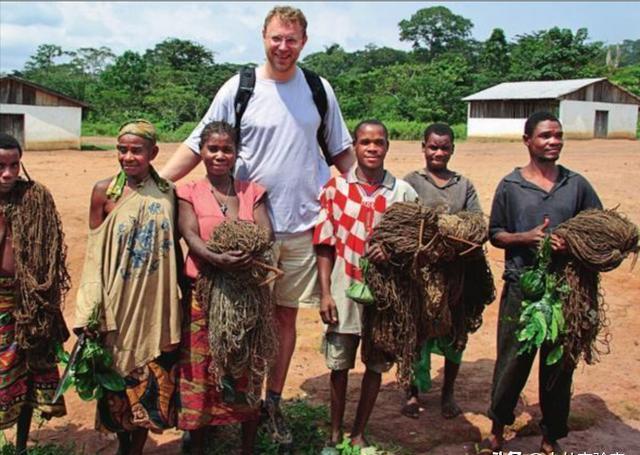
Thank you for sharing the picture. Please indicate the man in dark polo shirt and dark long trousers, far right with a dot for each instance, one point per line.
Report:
(528, 203)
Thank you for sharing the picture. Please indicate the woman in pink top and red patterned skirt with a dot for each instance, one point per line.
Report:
(205, 204)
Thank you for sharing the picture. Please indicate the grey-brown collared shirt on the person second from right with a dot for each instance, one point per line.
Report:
(457, 194)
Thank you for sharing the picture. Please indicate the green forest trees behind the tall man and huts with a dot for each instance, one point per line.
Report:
(173, 83)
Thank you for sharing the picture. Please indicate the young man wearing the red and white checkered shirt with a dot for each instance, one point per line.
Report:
(351, 205)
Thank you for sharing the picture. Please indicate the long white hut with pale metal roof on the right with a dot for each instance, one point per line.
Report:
(587, 108)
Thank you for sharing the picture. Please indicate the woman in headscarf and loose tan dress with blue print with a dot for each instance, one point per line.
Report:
(130, 275)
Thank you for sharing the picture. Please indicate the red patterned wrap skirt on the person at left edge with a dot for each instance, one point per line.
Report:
(20, 386)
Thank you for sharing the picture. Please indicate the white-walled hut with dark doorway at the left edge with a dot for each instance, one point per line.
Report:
(40, 118)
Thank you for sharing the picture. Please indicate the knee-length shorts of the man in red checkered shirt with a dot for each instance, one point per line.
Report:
(340, 353)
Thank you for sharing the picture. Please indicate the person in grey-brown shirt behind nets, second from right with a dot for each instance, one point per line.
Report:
(439, 186)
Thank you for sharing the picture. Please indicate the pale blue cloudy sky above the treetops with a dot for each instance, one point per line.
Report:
(232, 29)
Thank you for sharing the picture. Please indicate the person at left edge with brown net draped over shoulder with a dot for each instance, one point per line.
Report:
(33, 282)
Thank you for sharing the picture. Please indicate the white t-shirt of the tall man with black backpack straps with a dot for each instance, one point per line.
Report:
(279, 148)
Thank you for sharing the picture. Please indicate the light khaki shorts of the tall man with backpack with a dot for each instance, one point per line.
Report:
(296, 257)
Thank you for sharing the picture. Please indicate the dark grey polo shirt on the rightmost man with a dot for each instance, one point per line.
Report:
(519, 206)
